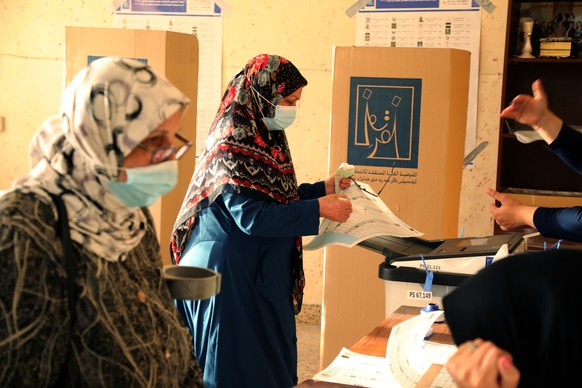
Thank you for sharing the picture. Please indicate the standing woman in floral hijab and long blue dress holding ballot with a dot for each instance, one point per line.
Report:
(244, 216)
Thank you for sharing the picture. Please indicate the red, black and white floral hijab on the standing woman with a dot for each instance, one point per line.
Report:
(240, 152)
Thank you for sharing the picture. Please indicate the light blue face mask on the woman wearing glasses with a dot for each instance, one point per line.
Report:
(145, 185)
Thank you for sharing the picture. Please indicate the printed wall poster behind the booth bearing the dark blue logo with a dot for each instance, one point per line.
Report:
(427, 23)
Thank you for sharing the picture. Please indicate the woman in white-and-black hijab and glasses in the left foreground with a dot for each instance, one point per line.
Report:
(108, 155)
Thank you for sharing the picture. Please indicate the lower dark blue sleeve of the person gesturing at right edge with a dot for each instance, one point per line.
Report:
(561, 223)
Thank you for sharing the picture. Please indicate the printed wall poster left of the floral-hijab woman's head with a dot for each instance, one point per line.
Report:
(202, 18)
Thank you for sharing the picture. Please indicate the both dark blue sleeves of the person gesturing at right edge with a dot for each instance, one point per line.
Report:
(563, 223)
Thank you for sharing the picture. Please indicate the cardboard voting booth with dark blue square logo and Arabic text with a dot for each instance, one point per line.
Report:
(399, 116)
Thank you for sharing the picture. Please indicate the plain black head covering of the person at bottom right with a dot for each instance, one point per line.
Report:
(526, 304)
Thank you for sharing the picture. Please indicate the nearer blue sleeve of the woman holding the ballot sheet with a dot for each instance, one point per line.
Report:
(270, 219)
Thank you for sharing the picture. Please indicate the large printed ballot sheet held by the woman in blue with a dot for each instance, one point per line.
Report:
(370, 218)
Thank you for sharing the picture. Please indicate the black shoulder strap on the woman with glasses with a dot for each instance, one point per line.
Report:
(69, 262)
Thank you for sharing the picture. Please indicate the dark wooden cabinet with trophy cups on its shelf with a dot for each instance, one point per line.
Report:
(529, 171)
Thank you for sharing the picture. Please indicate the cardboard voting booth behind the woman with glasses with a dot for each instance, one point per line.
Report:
(173, 54)
